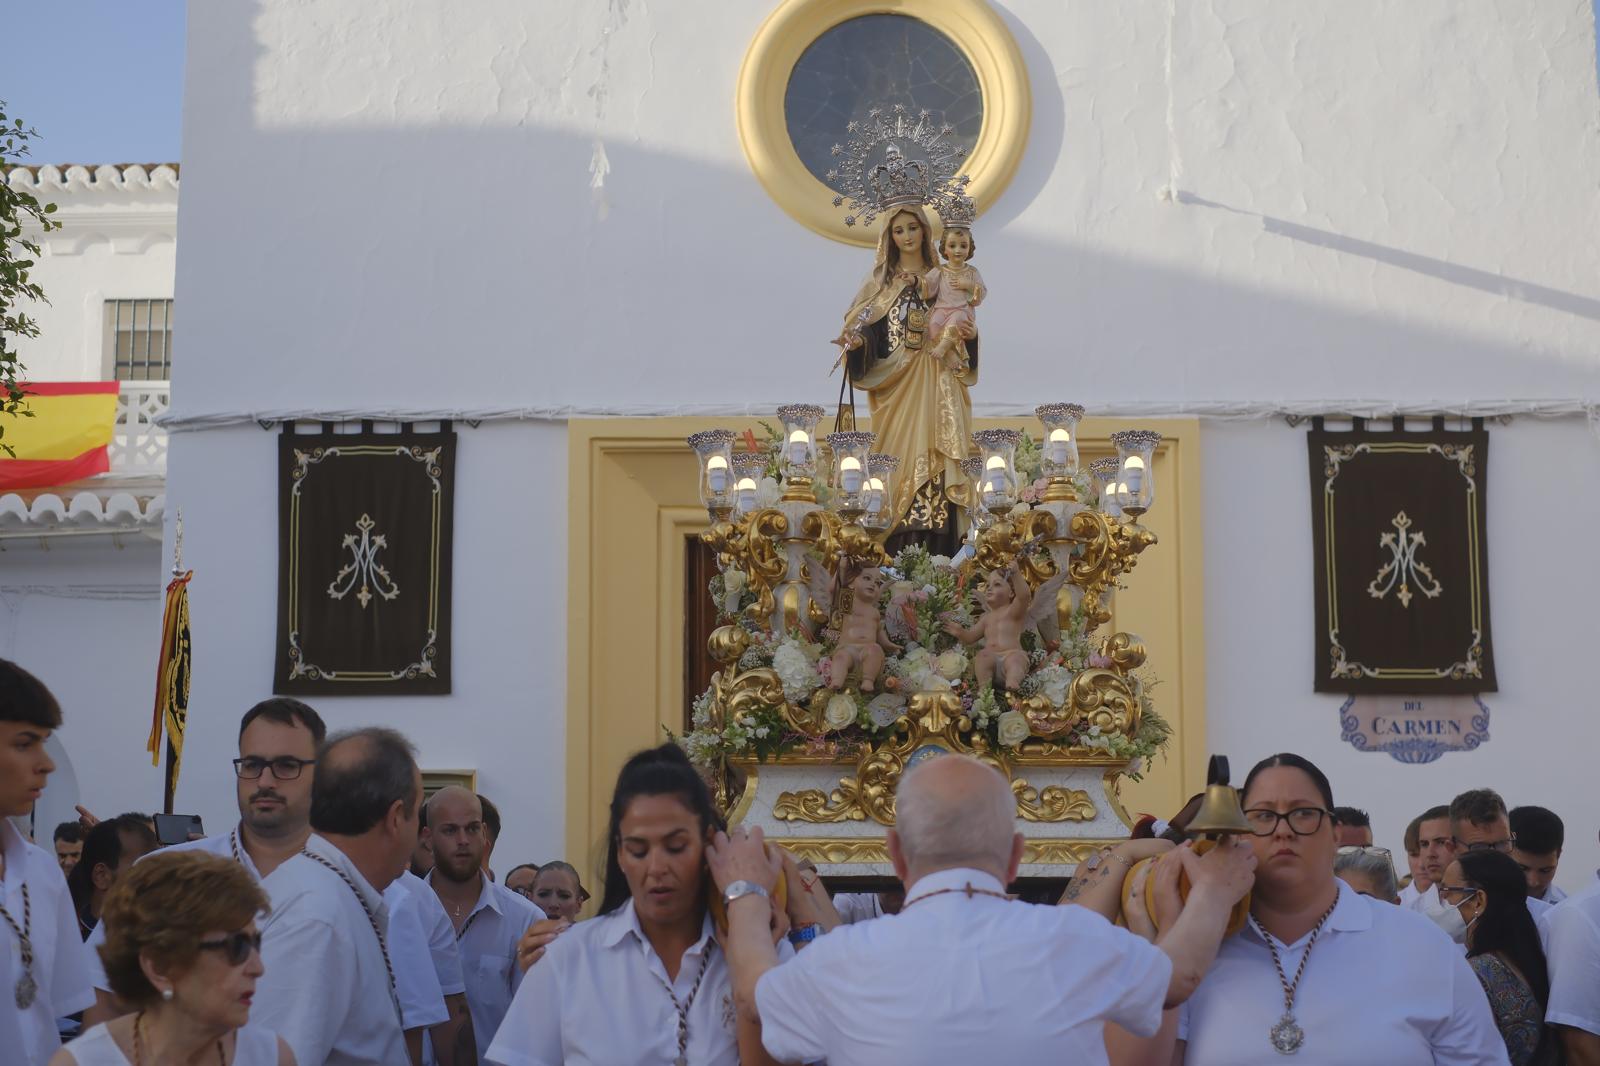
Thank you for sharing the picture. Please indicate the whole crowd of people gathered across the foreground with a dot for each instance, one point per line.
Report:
(348, 920)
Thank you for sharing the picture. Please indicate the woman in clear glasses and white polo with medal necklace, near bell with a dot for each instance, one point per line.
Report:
(1322, 972)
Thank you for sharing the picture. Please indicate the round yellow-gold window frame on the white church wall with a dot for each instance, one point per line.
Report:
(764, 82)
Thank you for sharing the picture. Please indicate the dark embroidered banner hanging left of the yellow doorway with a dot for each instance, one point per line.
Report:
(364, 563)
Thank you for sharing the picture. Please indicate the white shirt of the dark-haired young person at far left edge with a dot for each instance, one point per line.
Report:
(60, 971)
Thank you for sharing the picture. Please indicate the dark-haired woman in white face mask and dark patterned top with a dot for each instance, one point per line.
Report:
(1503, 947)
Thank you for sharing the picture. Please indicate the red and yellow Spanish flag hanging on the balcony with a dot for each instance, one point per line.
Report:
(66, 438)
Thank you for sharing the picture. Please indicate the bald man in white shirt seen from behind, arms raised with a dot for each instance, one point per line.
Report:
(1044, 982)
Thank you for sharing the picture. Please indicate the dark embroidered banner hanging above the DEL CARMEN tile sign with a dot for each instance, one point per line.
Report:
(1402, 563)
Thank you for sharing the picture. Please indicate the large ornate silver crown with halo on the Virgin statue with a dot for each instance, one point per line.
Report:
(878, 175)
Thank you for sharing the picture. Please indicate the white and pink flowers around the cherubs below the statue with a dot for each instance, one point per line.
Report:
(921, 595)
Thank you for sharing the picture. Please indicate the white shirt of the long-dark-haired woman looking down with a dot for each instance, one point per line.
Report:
(599, 998)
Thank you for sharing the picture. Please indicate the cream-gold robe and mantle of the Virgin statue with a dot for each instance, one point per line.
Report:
(921, 411)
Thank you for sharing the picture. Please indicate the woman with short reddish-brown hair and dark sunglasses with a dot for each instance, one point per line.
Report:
(183, 950)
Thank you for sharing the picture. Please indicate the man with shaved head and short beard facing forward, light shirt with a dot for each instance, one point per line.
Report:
(489, 918)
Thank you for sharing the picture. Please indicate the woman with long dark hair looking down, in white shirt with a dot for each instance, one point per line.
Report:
(646, 982)
